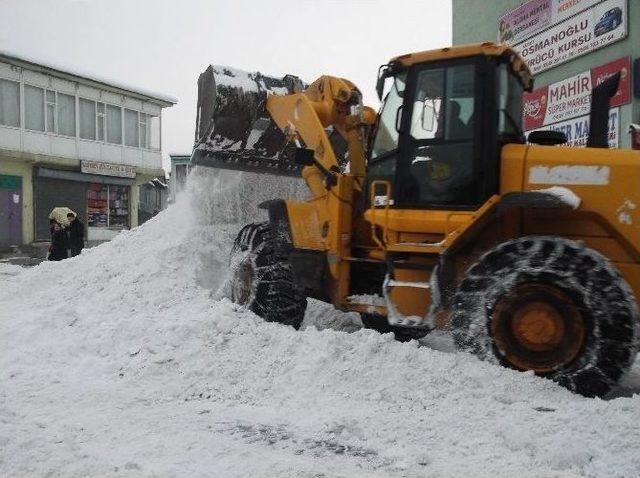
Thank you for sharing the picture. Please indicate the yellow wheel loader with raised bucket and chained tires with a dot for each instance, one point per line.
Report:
(436, 212)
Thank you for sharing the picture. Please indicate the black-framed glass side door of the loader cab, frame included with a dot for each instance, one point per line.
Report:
(441, 145)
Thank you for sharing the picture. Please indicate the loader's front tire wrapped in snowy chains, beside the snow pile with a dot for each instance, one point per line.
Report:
(262, 279)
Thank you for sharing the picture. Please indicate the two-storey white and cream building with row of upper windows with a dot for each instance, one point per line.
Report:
(69, 139)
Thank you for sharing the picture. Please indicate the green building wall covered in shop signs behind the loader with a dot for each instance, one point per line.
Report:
(570, 46)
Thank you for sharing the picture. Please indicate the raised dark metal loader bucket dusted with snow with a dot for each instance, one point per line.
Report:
(234, 129)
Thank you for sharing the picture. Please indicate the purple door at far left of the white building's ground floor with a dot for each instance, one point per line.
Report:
(10, 211)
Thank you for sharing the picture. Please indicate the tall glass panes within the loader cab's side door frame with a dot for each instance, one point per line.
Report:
(441, 159)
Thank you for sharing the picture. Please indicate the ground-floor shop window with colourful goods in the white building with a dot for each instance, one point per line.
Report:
(108, 206)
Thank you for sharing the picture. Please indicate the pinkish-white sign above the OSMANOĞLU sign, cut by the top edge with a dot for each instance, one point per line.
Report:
(536, 15)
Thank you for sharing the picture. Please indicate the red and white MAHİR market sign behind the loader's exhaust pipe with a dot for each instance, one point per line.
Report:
(572, 97)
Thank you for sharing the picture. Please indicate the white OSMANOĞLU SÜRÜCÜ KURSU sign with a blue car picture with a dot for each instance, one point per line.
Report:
(597, 27)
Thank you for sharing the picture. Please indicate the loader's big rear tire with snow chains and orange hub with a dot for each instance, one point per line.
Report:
(550, 305)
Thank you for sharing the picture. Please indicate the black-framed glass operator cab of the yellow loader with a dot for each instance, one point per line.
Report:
(441, 128)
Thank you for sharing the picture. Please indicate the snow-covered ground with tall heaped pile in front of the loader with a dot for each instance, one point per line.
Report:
(120, 362)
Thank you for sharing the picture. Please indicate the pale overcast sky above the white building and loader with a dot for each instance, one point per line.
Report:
(163, 45)
